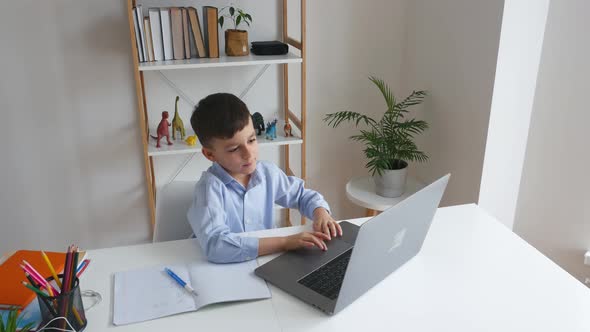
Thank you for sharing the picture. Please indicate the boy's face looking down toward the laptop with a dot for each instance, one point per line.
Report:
(237, 154)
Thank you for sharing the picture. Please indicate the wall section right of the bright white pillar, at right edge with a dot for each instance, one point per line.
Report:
(553, 211)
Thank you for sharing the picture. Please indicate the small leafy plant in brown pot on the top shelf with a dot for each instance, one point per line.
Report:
(236, 41)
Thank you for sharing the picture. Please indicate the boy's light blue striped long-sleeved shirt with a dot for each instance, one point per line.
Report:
(222, 209)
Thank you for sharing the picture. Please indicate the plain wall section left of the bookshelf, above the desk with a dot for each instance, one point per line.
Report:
(71, 167)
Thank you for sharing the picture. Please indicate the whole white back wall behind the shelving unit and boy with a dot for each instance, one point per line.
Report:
(72, 167)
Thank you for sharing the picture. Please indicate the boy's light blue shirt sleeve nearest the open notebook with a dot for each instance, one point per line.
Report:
(207, 218)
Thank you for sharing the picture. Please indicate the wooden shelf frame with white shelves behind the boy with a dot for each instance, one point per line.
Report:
(223, 61)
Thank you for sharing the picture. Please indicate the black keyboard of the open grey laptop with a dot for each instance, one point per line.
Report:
(327, 280)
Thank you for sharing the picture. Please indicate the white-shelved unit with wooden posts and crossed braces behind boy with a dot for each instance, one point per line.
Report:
(180, 147)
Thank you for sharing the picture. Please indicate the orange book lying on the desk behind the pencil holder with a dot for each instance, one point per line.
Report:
(12, 292)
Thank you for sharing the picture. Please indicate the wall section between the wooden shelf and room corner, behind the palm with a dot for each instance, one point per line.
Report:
(347, 42)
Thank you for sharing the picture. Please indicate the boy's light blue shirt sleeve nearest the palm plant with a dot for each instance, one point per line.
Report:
(290, 192)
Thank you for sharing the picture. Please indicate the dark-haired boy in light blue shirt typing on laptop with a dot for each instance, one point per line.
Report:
(237, 193)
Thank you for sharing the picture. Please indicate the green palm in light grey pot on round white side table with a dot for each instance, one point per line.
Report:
(389, 144)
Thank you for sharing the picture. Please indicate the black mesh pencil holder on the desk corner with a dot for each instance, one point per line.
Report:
(68, 305)
